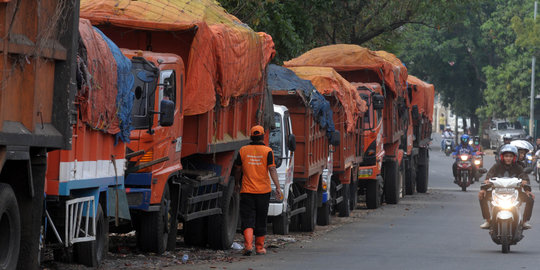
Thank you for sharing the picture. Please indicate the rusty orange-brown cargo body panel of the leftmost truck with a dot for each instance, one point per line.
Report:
(32, 53)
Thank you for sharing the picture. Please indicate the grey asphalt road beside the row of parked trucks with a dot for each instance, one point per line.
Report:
(437, 230)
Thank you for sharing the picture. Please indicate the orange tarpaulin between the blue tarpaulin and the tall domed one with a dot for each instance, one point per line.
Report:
(328, 82)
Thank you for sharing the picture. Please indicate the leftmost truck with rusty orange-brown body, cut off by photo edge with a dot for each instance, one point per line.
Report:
(38, 42)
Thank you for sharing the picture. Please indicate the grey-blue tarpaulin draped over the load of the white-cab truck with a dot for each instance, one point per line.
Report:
(280, 78)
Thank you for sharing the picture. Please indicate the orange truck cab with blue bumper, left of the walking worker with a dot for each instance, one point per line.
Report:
(155, 149)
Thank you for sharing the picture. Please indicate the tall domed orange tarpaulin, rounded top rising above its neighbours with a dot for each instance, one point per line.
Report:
(347, 57)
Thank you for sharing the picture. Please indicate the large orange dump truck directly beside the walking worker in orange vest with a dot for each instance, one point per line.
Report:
(199, 88)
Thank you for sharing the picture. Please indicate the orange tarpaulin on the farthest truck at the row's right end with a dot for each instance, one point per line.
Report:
(423, 97)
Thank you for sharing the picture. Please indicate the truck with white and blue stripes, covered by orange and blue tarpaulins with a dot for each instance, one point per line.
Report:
(85, 185)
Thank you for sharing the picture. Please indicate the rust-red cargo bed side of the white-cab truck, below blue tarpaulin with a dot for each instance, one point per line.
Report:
(311, 152)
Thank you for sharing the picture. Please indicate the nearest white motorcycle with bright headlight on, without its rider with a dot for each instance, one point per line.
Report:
(506, 216)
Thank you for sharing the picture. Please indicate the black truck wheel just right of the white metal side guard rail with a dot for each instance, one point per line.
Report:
(93, 253)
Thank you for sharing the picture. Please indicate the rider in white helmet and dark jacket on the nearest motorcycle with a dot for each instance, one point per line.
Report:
(507, 167)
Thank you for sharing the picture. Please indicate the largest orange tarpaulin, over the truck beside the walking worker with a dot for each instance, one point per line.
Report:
(225, 58)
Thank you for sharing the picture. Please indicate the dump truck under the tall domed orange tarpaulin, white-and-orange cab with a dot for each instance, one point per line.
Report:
(381, 171)
